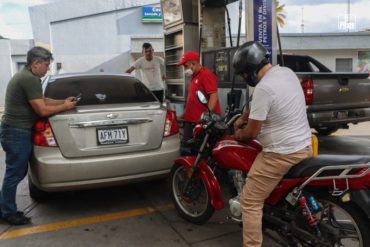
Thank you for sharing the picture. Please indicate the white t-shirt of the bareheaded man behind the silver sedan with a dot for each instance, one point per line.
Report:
(151, 72)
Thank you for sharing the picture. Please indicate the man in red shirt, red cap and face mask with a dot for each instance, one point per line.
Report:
(201, 79)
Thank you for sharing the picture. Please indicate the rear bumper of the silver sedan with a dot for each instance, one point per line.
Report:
(51, 171)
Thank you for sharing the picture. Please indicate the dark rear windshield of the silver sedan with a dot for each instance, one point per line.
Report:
(97, 90)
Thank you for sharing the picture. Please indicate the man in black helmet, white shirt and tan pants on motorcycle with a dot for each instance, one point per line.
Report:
(278, 119)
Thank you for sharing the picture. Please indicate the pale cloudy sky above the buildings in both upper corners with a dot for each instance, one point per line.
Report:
(317, 16)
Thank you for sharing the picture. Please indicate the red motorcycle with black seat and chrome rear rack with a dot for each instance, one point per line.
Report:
(322, 201)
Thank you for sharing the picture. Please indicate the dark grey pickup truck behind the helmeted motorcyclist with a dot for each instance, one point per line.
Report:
(333, 99)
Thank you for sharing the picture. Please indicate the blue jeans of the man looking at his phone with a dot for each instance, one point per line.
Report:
(17, 144)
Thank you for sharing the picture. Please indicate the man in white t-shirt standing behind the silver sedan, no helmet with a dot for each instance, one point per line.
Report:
(152, 71)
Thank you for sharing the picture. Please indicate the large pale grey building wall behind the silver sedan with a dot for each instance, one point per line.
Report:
(101, 38)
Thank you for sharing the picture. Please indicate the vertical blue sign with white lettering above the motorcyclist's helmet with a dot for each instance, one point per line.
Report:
(262, 19)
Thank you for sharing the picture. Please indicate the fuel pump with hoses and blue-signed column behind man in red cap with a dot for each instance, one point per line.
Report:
(201, 25)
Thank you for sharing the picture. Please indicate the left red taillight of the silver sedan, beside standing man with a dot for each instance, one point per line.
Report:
(43, 134)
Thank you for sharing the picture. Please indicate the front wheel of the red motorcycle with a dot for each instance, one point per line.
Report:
(193, 204)
